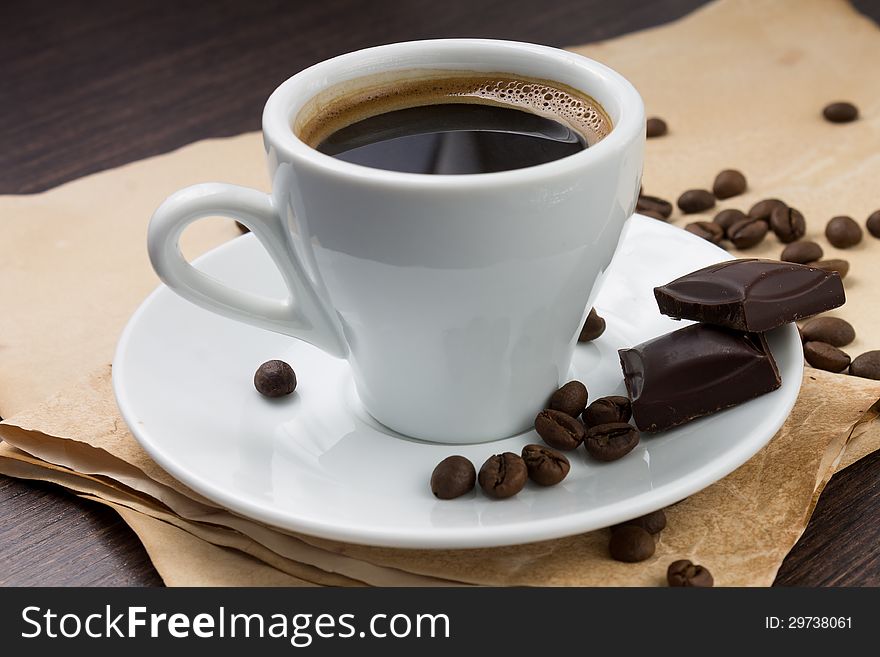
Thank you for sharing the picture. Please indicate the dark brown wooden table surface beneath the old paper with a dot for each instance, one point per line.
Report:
(86, 86)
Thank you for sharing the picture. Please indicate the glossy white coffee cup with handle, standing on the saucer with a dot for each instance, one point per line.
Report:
(457, 299)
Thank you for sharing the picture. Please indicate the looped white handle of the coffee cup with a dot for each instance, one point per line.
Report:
(303, 314)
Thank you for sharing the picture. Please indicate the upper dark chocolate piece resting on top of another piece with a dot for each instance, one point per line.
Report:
(751, 295)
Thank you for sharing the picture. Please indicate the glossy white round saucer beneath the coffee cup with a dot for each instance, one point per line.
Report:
(316, 463)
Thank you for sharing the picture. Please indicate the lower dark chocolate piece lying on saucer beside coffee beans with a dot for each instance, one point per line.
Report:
(695, 371)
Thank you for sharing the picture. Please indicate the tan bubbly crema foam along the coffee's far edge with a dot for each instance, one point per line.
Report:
(552, 100)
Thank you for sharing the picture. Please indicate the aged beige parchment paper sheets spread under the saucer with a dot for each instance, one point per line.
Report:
(741, 84)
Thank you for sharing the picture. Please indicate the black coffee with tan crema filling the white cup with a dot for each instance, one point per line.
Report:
(457, 125)
